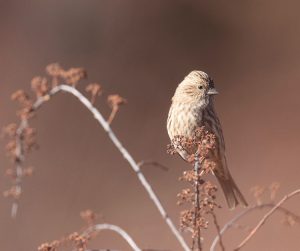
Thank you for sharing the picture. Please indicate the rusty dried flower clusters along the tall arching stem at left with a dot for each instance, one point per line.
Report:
(22, 137)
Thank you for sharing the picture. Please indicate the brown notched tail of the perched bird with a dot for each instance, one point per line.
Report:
(231, 191)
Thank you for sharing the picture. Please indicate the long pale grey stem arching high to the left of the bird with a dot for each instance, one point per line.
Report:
(98, 116)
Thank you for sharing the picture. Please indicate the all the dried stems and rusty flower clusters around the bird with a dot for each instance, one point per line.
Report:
(199, 196)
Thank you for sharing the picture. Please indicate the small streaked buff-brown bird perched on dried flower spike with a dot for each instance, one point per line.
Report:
(192, 107)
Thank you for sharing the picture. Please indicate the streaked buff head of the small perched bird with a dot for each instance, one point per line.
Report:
(196, 87)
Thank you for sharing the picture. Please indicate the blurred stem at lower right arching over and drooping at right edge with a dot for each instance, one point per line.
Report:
(233, 221)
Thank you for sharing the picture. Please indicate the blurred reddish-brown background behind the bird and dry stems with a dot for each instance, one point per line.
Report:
(142, 50)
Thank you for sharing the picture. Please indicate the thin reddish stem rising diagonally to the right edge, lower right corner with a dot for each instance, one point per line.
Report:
(265, 217)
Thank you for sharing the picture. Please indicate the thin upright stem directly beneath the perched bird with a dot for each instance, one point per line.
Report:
(197, 238)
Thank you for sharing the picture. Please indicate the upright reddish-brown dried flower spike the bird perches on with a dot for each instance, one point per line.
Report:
(202, 194)
